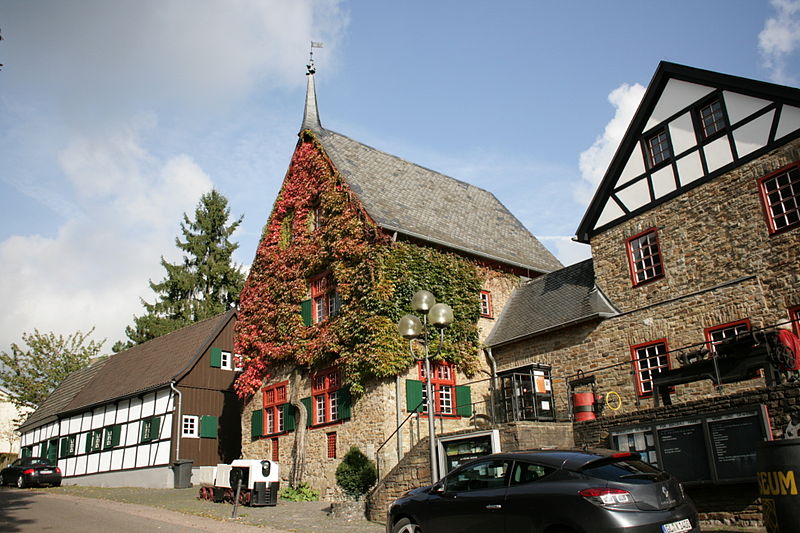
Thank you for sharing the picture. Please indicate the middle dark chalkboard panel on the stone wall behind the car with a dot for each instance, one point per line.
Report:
(683, 450)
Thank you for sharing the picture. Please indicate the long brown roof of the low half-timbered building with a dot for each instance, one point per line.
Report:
(145, 367)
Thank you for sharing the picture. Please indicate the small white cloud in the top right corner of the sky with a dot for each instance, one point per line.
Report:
(780, 38)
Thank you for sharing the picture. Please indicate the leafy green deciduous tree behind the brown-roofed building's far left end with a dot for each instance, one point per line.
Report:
(29, 374)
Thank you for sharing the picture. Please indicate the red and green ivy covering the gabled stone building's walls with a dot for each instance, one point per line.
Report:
(318, 226)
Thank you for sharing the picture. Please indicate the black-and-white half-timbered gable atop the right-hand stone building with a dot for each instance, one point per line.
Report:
(759, 116)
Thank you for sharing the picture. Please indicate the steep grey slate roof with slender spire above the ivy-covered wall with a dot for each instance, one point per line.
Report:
(423, 204)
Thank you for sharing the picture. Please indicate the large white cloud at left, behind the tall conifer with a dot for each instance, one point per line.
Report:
(93, 271)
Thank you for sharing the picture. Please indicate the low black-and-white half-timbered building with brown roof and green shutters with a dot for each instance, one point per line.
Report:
(126, 420)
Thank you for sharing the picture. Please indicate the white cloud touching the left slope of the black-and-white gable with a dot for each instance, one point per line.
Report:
(594, 161)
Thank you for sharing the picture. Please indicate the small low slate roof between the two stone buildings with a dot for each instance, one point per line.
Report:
(556, 300)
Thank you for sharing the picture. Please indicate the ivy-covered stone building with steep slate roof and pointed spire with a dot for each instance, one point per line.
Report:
(352, 235)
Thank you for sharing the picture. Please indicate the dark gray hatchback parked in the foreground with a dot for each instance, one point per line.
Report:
(548, 491)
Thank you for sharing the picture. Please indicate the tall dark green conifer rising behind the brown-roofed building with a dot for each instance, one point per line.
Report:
(205, 284)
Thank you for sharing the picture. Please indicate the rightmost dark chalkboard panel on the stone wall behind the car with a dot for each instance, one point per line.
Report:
(734, 440)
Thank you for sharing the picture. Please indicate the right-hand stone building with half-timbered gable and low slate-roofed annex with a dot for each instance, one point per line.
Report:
(695, 266)
